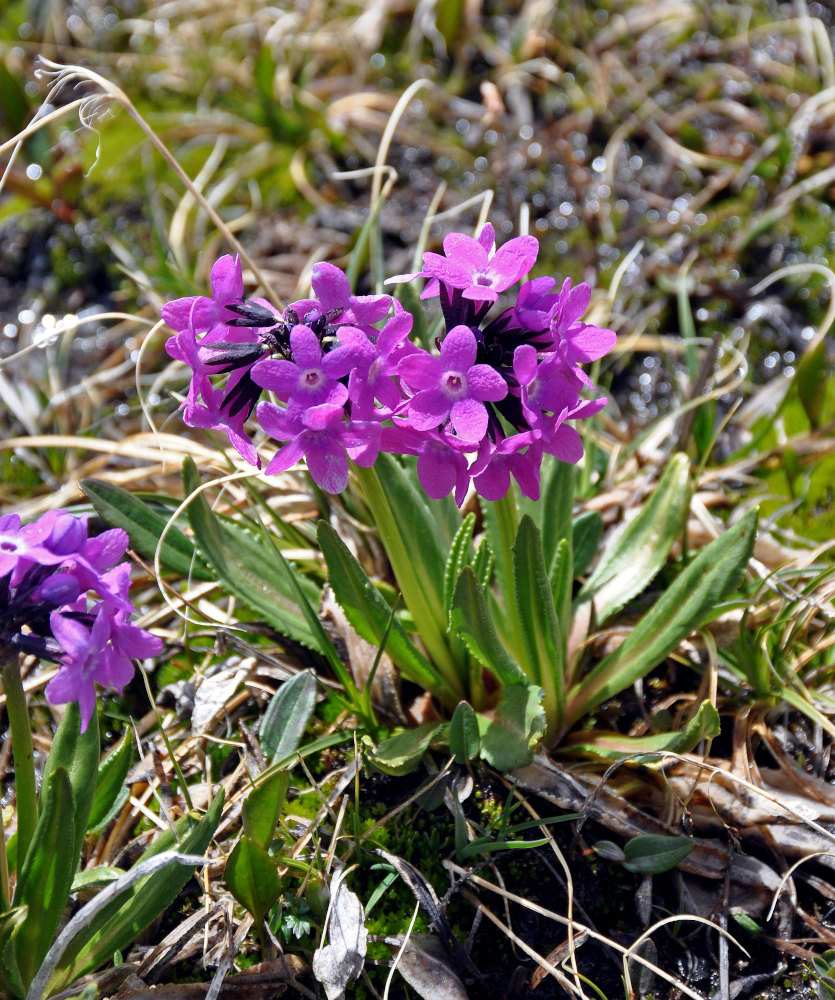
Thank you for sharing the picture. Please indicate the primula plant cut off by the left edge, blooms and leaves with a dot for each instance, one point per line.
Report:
(64, 598)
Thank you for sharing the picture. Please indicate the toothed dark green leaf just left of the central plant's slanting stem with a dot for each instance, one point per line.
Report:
(369, 613)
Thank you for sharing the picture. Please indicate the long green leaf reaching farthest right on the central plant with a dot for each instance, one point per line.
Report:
(686, 604)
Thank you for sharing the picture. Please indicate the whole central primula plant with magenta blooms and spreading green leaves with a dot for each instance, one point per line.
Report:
(497, 397)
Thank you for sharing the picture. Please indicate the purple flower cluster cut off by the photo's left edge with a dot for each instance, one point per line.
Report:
(64, 597)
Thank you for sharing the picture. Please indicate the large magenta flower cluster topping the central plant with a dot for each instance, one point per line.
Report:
(500, 393)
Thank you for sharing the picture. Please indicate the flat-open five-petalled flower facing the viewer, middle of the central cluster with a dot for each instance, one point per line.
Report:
(452, 386)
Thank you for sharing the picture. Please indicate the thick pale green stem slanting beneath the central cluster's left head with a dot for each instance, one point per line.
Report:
(423, 602)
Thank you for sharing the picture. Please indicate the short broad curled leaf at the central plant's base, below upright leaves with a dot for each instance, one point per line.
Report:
(510, 734)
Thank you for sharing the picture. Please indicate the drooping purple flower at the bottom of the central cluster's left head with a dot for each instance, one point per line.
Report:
(321, 436)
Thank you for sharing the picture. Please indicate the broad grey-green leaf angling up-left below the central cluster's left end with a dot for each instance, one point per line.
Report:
(242, 566)
